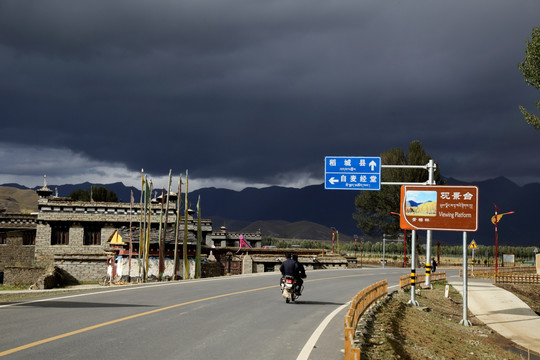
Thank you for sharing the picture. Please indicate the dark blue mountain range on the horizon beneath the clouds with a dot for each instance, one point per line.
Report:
(310, 212)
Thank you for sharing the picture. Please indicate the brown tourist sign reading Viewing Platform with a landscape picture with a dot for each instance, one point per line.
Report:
(439, 207)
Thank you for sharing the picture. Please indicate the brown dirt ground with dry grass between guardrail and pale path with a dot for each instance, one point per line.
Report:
(432, 330)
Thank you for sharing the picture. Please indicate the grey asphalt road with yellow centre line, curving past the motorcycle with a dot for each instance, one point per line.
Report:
(238, 317)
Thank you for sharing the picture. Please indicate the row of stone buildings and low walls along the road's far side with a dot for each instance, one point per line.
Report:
(90, 240)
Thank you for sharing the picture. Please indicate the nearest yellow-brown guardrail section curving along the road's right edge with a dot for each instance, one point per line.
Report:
(359, 304)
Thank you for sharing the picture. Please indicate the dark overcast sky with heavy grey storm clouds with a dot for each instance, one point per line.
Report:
(255, 93)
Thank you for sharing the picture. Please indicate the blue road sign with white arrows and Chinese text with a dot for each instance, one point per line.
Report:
(352, 173)
